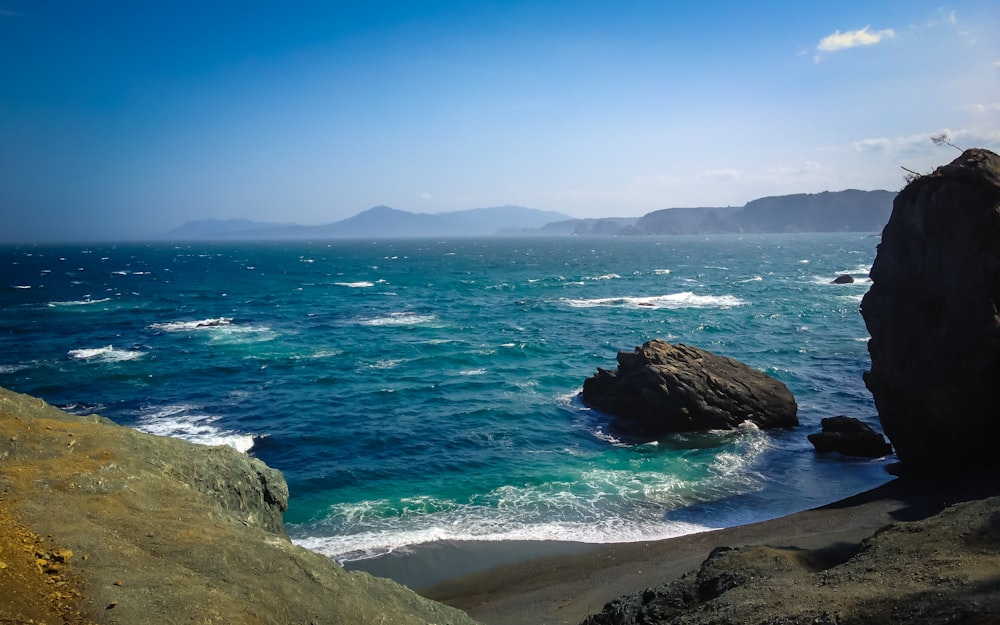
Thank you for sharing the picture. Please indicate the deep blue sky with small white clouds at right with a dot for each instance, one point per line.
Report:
(123, 120)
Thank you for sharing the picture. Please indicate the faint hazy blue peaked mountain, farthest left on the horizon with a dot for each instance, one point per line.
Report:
(381, 222)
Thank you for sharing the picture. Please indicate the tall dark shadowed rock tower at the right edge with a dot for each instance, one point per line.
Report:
(933, 312)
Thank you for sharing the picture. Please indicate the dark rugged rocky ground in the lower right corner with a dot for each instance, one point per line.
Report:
(939, 570)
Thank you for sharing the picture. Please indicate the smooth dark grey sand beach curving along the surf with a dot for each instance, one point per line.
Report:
(564, 582)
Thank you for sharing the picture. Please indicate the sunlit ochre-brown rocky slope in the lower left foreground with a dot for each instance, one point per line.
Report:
(159, 530)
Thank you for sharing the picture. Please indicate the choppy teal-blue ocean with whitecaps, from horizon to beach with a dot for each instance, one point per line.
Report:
(421, 390)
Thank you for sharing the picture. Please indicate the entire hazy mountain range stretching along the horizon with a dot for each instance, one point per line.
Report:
(850, 210)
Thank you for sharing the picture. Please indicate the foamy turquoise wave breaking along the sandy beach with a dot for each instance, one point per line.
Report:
(630, 502)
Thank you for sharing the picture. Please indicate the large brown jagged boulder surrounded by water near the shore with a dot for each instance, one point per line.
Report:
(661, 388)
